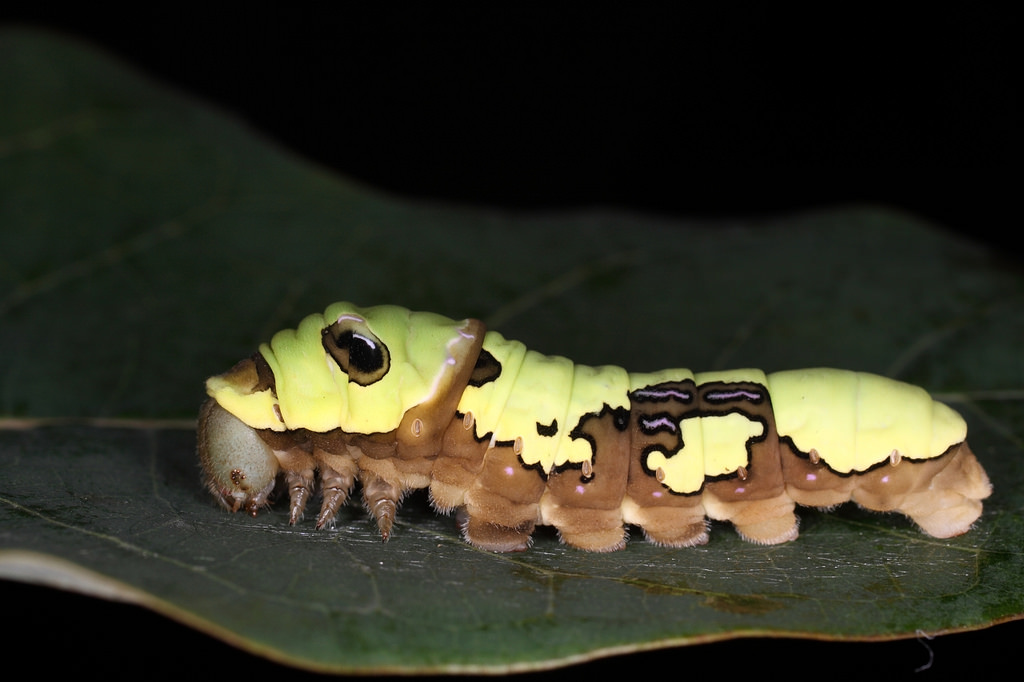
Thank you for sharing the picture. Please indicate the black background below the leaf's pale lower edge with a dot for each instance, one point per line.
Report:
(73, 633)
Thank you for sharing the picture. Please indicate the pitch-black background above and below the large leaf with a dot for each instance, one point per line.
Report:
(690, 114)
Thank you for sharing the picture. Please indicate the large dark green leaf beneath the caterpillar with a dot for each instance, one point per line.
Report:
(149, 242)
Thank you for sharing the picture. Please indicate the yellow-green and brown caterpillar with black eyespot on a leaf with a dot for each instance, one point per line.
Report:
(400, 401)
